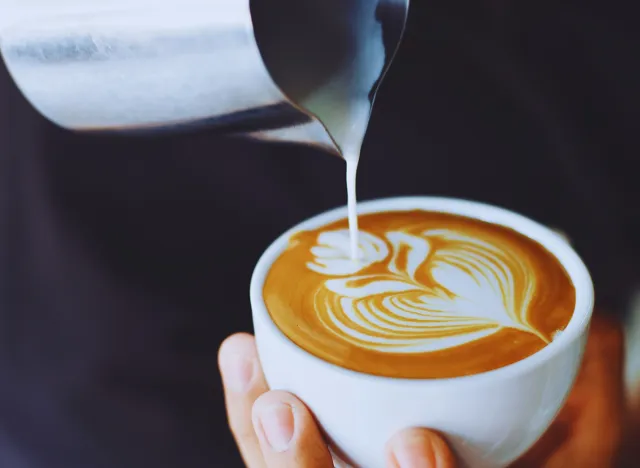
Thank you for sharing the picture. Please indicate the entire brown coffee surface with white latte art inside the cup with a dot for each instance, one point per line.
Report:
(432, 295)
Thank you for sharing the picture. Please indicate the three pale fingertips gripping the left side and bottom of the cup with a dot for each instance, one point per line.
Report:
(274, 429)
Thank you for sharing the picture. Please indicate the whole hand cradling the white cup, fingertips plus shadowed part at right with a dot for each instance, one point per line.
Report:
(276, 430)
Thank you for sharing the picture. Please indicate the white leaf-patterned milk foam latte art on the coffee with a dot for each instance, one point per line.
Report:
(439, 289)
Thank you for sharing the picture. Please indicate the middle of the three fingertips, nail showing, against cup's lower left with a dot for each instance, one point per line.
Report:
(288, 434)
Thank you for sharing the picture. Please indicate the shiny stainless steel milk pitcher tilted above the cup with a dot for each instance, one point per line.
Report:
(274, 69)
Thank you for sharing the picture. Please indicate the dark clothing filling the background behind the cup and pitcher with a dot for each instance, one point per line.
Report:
(125, 261)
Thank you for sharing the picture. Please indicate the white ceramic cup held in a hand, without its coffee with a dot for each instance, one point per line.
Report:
(489, 419)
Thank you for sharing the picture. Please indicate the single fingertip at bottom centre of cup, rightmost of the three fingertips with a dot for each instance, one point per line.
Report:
(419, 448)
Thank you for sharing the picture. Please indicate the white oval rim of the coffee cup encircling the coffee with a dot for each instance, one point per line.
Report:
(553, 242)
